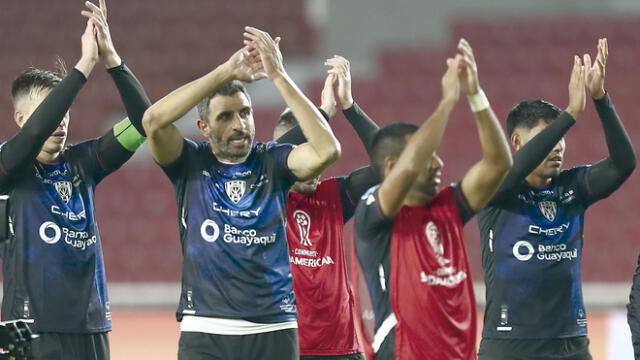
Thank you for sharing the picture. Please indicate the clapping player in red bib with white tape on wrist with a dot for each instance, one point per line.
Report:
(409, 237)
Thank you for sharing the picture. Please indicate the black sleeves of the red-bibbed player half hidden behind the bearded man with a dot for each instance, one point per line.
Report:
(356, 183)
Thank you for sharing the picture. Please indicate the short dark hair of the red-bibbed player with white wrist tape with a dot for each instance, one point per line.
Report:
(390, 140)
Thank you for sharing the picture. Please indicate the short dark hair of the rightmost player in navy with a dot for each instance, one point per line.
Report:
(529, 113)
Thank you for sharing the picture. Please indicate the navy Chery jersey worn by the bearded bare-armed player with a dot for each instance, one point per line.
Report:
(233, 234)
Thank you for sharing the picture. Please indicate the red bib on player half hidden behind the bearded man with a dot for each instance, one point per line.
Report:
(325, 303)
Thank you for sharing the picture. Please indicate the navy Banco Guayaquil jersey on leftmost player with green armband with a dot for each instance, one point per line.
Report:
(53, 263)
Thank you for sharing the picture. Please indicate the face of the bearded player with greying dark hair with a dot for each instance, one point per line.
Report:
(230, 126)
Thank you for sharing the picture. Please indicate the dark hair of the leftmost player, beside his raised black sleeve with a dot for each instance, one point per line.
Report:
(34, 80)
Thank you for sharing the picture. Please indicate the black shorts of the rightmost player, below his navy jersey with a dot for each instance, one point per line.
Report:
(575, 348)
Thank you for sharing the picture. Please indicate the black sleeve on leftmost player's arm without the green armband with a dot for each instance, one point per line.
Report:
(25, 146)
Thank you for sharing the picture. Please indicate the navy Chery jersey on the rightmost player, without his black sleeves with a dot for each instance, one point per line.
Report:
(532, 242)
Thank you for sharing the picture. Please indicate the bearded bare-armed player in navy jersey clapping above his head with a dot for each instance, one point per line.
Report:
(237, 291)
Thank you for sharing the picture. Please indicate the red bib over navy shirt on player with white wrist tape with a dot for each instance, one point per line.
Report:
(416, 269)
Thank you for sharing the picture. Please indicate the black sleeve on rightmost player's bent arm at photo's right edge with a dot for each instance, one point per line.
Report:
(604, 177)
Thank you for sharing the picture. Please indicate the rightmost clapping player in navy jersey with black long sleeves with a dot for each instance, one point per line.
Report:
(531, 232)
